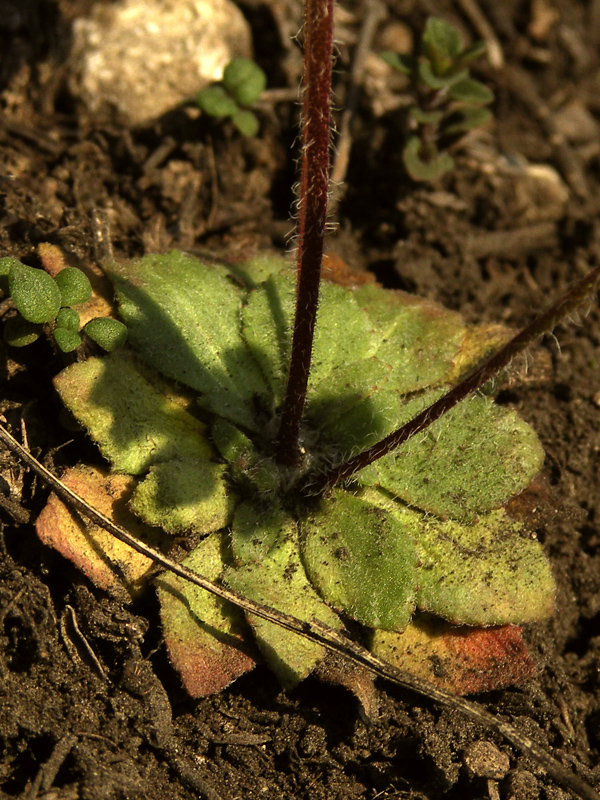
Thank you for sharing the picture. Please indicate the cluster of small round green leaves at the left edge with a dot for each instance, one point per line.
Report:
(42, 301)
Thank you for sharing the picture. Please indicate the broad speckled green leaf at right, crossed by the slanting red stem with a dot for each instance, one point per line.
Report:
(467, 463)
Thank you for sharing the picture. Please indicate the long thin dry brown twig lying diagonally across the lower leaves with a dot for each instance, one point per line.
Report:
(315, 631)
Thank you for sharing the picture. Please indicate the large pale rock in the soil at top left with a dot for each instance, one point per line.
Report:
(144, 57)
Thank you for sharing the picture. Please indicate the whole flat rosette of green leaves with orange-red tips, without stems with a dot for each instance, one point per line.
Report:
(413, 546)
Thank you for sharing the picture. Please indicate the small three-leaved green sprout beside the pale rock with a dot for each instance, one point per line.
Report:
(242, 85)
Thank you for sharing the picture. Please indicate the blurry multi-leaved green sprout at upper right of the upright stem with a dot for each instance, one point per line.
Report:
(448, 102)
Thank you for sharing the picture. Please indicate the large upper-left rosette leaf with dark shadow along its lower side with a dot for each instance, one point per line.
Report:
(184, 317)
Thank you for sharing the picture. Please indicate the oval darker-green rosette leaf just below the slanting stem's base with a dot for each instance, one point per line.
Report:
(362, 561)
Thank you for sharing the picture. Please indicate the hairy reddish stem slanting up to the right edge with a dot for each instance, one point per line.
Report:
(541, 324)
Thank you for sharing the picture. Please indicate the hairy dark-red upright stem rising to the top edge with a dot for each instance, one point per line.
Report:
(314, 190)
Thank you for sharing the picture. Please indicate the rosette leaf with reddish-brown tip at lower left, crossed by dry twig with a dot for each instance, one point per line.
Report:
(206, 637)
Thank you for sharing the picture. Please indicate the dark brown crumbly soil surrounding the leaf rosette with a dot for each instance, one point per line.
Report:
(484, 240)
